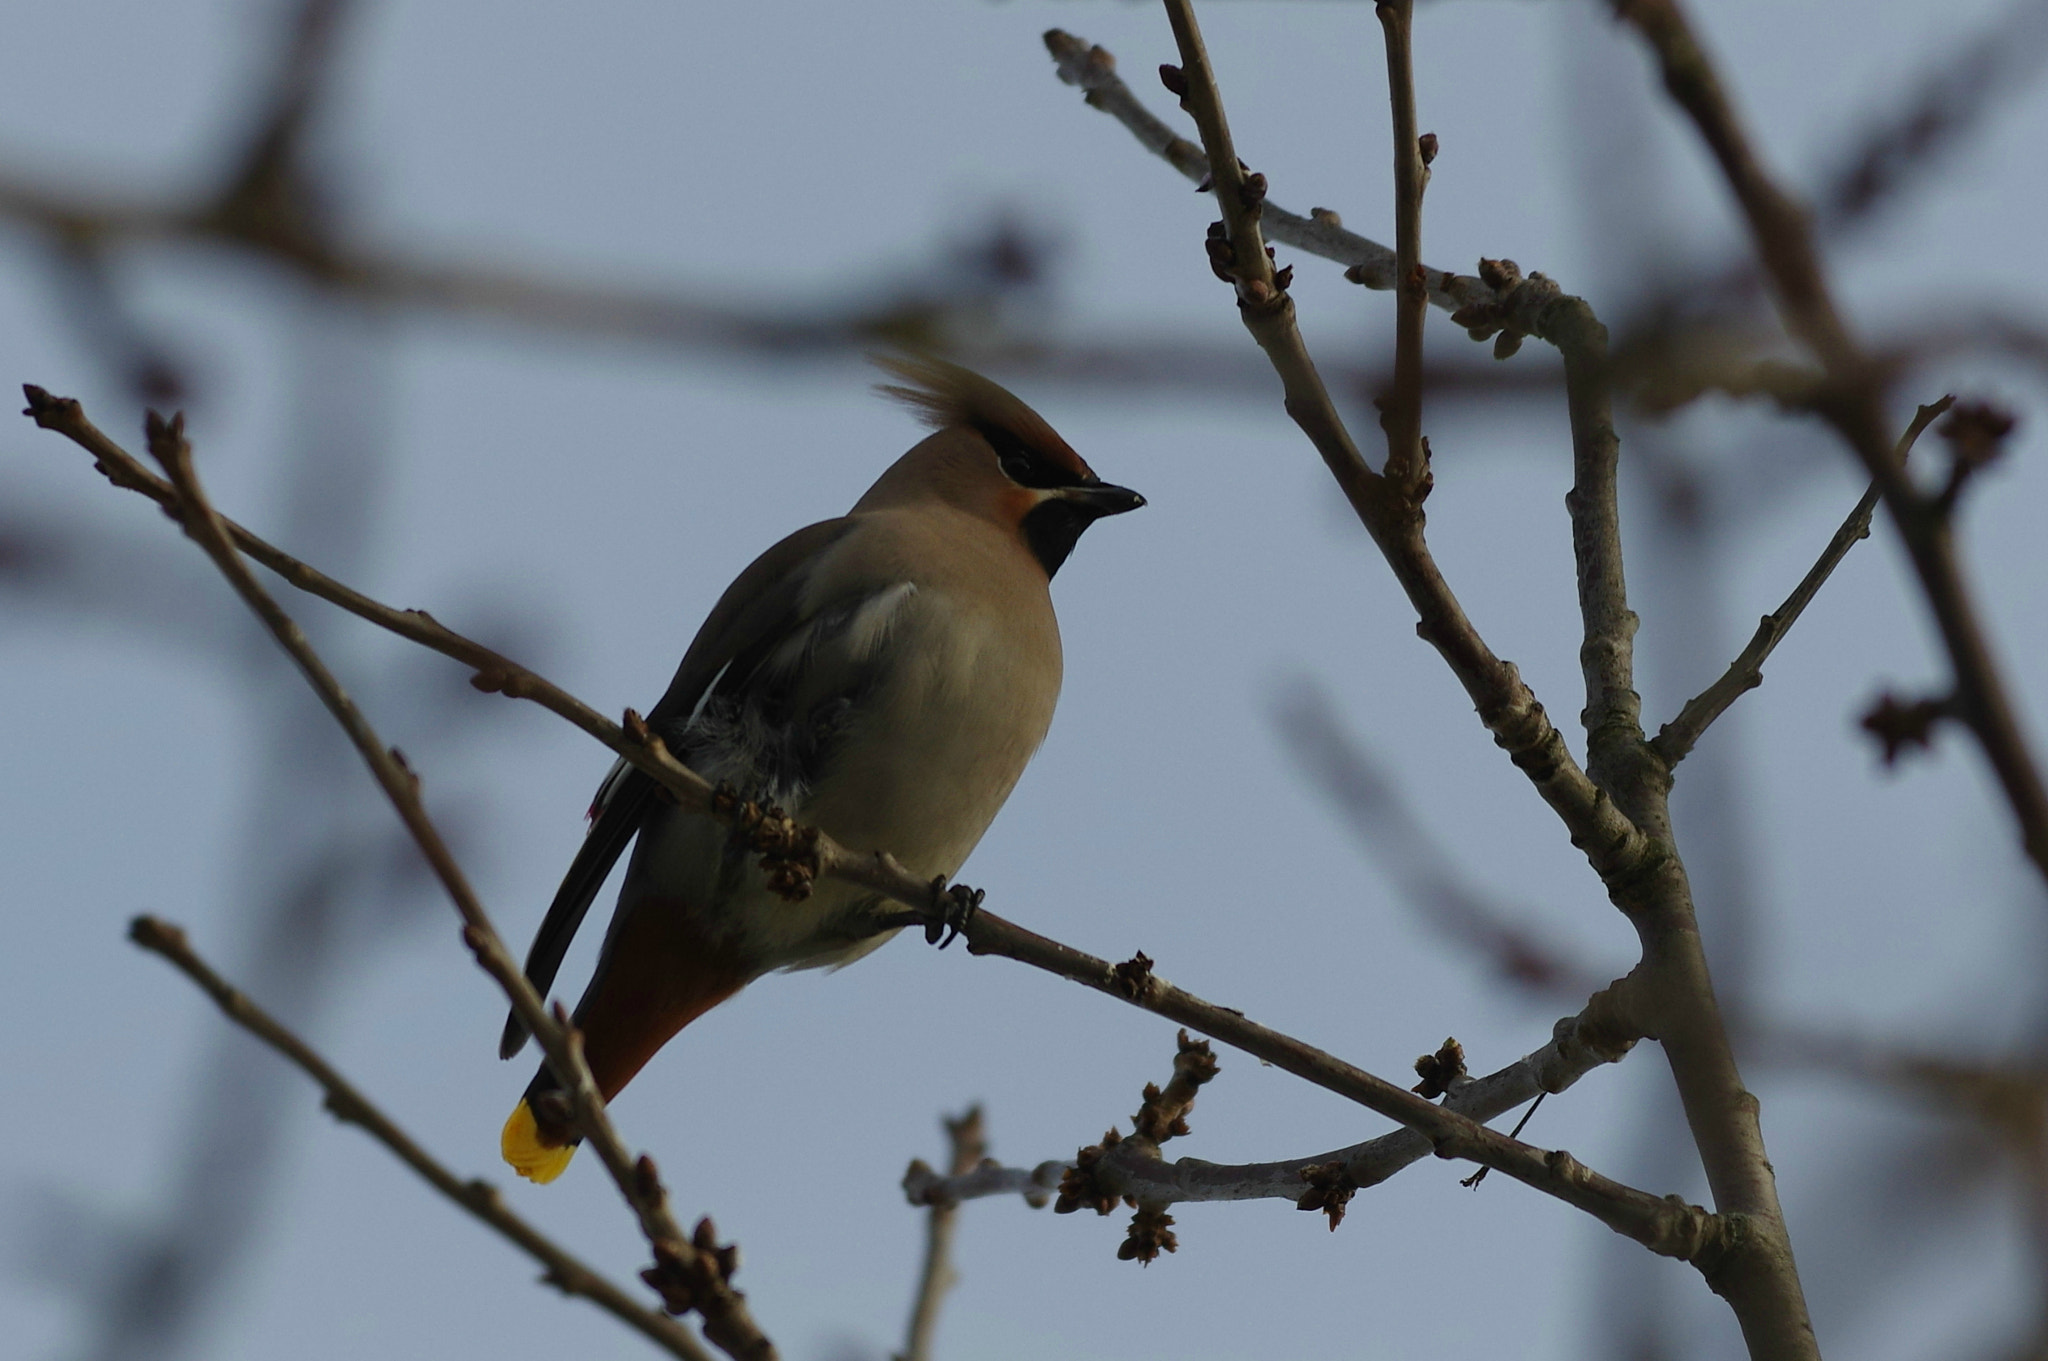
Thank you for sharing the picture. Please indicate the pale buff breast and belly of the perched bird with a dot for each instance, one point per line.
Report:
(896, 719)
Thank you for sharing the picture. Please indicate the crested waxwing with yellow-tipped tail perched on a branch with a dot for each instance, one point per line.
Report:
(884, 676)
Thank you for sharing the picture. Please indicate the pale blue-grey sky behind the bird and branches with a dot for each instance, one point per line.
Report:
(587, 502)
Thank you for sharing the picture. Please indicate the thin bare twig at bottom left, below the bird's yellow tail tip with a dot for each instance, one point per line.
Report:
(480, 1198)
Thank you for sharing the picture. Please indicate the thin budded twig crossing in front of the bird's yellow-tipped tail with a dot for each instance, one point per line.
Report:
(726, 1319)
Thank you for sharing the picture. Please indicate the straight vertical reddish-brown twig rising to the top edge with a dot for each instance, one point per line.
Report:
(1408, 464)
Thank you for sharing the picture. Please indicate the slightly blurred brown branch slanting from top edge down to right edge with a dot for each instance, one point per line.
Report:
(1854, 404)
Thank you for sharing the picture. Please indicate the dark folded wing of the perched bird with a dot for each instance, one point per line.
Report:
(755, 619)
